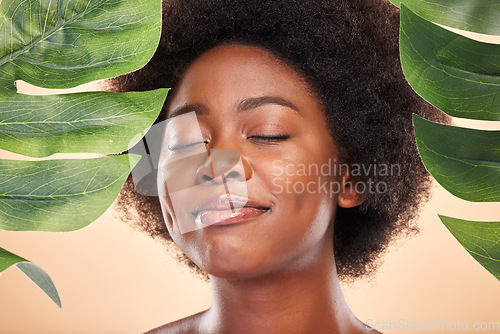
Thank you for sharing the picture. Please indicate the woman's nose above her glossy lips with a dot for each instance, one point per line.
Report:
(226, 164)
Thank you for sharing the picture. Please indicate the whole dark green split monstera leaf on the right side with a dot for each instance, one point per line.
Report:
(461, 77)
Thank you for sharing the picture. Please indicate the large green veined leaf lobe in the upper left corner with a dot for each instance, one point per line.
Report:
(65, 43)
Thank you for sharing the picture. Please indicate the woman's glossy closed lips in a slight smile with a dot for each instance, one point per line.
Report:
(226, 209)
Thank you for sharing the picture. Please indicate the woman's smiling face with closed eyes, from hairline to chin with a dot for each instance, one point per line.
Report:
(248, 102)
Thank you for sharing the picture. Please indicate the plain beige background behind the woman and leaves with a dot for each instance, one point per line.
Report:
(112, 279)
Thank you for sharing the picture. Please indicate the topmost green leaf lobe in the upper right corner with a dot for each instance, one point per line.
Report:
(482, 16)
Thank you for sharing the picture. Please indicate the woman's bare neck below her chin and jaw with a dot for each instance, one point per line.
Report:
(305, 299)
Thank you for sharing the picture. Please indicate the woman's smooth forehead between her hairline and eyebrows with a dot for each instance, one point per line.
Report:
(228, 74)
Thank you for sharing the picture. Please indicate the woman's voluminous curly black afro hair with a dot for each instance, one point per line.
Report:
(347, 52)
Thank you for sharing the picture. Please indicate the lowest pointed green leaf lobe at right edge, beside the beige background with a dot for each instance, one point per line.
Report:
(480, 239)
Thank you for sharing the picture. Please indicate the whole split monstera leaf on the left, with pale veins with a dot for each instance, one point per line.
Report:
(62, 44)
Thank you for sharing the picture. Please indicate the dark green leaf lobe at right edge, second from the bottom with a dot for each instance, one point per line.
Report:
(466, 162)
